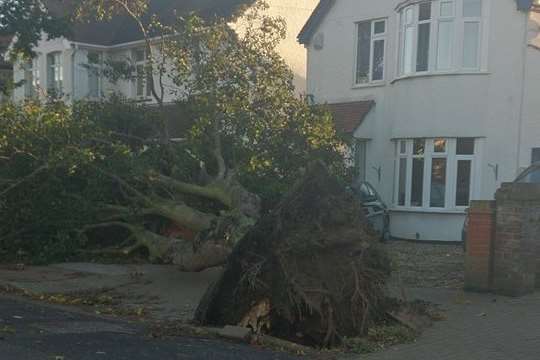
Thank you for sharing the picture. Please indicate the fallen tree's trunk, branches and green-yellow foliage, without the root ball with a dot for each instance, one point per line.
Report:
(72, 175)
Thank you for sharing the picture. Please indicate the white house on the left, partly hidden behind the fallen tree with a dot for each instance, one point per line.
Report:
(64, 65)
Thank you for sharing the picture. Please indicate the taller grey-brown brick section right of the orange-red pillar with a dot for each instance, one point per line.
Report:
(517, 238)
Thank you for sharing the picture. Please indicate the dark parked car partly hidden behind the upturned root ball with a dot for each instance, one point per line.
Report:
(375, 209)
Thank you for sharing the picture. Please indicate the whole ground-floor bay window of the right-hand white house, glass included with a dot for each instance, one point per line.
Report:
(434, 173)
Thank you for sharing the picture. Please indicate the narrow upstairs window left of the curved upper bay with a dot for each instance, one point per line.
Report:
(370, 51)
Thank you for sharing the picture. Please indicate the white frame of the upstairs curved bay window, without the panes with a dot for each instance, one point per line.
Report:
(458, 19)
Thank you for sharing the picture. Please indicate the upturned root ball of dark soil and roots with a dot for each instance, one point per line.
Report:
(312, 271)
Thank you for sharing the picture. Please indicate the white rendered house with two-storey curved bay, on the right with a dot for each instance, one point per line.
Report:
(440, 96)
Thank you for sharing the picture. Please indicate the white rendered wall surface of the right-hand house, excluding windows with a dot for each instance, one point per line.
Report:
(484, 105)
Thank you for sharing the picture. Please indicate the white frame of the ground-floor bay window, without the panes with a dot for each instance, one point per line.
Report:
(451, 173)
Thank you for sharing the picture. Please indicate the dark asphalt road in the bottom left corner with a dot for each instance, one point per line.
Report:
(32, 331)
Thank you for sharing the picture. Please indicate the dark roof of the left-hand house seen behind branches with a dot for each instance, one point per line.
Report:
(123, 29)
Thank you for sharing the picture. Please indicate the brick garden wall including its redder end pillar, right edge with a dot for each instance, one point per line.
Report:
(503, 244)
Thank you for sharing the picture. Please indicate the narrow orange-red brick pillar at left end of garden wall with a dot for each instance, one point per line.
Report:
(479, 254)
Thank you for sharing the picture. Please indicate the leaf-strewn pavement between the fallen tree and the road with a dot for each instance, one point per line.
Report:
(163, 291)
